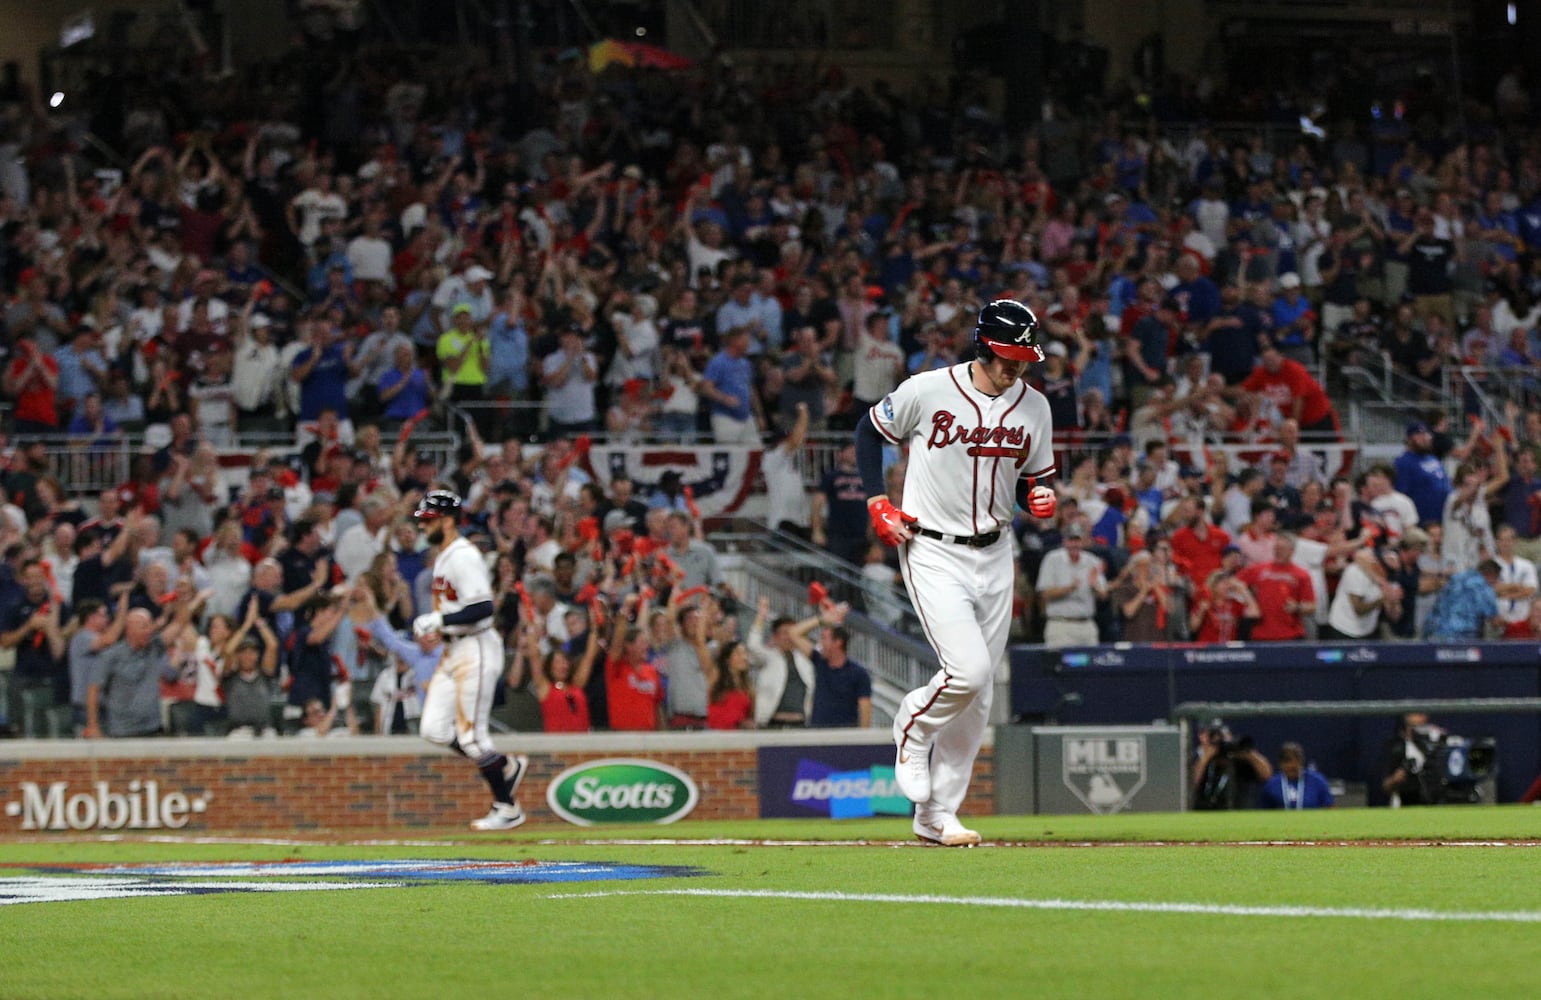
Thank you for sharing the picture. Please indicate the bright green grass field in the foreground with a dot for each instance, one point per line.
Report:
(1052, 907)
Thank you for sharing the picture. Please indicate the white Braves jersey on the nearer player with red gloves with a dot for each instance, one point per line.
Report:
(967, 449)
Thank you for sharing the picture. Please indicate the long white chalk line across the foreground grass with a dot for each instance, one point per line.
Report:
(1210, 910)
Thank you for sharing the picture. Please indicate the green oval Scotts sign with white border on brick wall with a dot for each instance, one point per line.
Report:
(622, 791)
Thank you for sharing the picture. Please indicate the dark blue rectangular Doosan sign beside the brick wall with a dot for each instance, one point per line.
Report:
(834, 782)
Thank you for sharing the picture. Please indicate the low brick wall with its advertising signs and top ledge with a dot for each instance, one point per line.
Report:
(401, 782)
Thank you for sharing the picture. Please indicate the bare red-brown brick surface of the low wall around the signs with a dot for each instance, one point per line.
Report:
(380, 791)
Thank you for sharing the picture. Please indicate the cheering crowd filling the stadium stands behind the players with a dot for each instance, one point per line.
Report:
(745, 255)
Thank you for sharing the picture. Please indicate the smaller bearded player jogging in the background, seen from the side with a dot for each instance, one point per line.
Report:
(462, 691)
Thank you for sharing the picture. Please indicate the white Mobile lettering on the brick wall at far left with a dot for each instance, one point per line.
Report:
(101, 807)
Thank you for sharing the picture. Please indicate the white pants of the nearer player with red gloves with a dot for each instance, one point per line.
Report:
(964, 600)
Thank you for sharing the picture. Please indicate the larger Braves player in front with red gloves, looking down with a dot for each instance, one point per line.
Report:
(979, 445)
